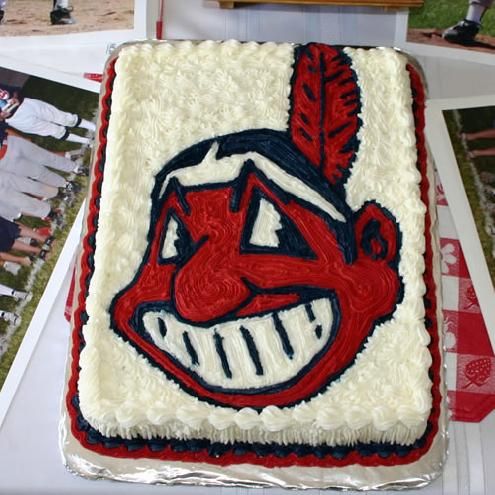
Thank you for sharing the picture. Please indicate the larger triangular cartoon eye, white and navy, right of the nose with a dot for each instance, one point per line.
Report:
(271, 231)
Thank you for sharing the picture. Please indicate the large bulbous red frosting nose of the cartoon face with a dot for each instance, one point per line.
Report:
(206, 291)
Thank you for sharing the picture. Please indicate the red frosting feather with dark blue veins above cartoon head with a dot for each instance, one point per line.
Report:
(325, 109)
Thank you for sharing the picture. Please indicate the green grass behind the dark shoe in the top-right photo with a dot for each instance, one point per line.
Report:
(440, 14)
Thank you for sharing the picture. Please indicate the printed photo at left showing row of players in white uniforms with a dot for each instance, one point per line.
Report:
(46, 135)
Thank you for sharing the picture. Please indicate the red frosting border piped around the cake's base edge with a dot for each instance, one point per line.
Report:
(270, 460)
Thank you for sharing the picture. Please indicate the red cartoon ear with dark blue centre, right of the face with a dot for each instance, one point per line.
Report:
(377, 233)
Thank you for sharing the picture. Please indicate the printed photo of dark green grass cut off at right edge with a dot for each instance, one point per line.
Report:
(472, 133)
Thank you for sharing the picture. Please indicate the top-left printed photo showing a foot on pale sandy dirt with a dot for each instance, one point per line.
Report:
(46, 17)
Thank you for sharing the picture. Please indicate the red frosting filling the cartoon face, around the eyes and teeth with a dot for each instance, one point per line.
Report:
(213, 283)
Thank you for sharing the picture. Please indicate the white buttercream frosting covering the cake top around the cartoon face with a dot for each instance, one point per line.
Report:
(193, 92)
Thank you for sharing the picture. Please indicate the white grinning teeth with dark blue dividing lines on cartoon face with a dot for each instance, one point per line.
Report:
(248, 352)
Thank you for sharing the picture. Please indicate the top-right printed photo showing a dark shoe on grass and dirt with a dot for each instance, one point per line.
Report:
(458, 24)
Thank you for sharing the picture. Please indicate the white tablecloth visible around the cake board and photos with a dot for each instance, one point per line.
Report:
(30, 461)
